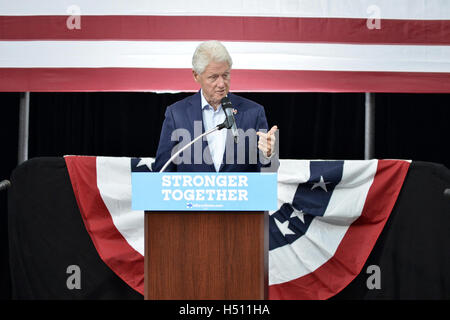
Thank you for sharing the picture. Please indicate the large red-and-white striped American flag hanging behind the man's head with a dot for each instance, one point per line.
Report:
(276, 45)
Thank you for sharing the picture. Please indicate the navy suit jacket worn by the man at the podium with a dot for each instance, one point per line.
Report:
(186, 115)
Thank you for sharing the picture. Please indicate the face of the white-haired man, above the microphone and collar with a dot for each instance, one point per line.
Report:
(215, 82)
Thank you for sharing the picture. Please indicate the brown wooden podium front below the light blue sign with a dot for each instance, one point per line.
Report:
(220, 255)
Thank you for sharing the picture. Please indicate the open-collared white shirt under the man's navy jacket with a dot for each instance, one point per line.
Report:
(217, 139)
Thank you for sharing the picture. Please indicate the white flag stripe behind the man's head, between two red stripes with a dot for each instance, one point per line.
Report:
(246, 55)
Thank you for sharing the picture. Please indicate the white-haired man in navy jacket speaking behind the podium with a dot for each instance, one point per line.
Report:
(186, 119)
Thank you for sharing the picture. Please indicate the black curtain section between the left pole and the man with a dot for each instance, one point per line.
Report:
(102, 124)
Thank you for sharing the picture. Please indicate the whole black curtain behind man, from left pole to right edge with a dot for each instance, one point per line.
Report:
(312, 125)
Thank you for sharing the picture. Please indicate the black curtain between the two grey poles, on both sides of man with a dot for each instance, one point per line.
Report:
(312, 125)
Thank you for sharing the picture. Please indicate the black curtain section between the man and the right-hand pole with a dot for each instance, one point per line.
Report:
(316, 125)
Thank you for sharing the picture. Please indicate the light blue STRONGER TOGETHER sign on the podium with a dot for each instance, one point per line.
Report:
(194, 191)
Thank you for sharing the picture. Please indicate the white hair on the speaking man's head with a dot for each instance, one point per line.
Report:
(209, 51)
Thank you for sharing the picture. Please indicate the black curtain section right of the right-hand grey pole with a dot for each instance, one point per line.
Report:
(413, 126)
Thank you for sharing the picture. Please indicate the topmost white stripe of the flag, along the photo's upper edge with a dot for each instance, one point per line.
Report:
(385, 9)
